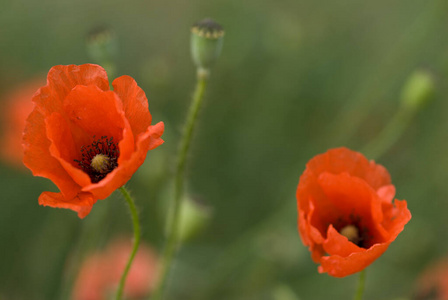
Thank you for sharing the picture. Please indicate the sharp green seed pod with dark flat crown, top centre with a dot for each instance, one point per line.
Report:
(206, 43)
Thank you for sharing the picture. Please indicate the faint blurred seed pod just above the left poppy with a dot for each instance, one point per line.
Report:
(102, 48)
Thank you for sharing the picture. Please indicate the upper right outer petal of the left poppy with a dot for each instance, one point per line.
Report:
(135, 103)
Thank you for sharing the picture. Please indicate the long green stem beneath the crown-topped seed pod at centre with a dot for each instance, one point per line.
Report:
(173, 220)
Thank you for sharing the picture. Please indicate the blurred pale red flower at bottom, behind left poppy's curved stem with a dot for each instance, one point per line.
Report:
(101, 272)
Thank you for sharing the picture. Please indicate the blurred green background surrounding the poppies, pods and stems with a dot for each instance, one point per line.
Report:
(295, 78)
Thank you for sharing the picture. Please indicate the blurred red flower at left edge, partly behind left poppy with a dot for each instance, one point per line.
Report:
(16, 107)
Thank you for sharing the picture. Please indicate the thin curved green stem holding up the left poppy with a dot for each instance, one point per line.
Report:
(136, 225)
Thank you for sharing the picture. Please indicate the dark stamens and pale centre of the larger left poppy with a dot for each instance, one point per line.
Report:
(99, 158)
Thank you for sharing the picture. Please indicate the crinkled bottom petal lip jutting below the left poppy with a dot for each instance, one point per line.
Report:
(81, 203)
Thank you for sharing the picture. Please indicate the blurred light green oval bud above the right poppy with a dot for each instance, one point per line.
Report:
(418, 90)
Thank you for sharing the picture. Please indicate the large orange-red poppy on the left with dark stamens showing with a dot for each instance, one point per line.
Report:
(85, 138)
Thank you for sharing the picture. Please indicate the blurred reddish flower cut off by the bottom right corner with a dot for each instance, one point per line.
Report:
(433, 283)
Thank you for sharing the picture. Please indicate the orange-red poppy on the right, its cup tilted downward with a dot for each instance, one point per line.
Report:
(346, 214)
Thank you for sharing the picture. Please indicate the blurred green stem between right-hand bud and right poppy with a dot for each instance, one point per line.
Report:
(390, 134)
